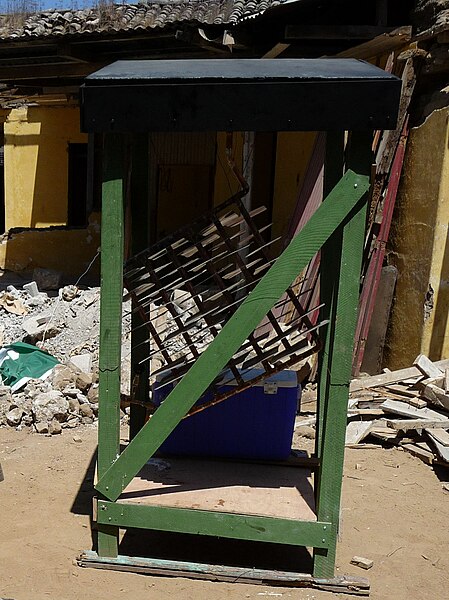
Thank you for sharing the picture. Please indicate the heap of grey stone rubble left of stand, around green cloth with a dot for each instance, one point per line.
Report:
(65, 323)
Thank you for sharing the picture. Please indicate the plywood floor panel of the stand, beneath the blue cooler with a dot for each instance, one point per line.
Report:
(232, 487)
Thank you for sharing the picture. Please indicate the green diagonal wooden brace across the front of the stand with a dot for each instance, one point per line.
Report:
(330, 215)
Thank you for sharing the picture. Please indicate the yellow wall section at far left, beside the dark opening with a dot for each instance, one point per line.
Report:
(36, 164)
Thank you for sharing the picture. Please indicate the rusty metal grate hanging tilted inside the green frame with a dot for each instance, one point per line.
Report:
(189, 284)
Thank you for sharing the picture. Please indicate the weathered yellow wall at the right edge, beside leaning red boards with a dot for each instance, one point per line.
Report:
(419, 243)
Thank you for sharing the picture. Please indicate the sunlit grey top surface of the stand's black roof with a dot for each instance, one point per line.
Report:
(236, 70)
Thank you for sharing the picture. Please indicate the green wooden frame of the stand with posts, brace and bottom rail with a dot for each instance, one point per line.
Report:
(337, 228)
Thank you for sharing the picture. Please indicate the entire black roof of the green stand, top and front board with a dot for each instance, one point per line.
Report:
(239, 95)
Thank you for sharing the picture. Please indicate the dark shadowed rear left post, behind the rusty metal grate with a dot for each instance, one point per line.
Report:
(140, 239)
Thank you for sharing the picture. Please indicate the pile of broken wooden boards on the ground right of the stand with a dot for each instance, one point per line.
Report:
(408, 409)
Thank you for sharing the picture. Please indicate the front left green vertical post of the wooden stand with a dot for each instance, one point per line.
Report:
(112, 233)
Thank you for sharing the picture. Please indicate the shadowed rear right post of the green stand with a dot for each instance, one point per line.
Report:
(329, 272)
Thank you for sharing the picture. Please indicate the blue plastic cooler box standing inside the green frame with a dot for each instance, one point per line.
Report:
(256, 423)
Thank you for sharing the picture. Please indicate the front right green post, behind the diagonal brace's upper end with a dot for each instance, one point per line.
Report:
(341, 343)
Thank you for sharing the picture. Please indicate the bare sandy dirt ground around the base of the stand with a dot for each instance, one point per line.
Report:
(394, 512)
